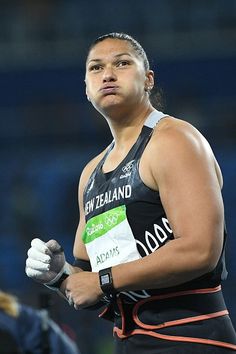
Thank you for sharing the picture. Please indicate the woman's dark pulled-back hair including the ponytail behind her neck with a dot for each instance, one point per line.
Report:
(156, 93)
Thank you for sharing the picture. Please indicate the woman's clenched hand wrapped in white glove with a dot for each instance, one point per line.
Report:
(45, 262)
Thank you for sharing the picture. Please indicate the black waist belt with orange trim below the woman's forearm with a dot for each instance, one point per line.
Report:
(159, 314)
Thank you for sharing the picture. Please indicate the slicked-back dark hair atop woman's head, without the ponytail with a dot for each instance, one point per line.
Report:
(125, 37)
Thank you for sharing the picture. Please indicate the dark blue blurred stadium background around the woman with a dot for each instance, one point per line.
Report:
(48, 130)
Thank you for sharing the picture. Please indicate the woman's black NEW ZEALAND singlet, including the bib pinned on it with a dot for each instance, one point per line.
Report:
(125, 219)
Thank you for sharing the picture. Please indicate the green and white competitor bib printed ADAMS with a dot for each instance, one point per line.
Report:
(109, 240)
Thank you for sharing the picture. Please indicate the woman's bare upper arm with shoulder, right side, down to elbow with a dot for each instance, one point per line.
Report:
(185, 174)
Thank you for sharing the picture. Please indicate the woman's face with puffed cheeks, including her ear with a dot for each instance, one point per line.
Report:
(115, 76)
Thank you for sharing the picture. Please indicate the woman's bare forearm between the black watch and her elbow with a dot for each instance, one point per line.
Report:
(171, 265)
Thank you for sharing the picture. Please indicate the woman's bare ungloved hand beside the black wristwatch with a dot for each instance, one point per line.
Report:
(83, 289)
